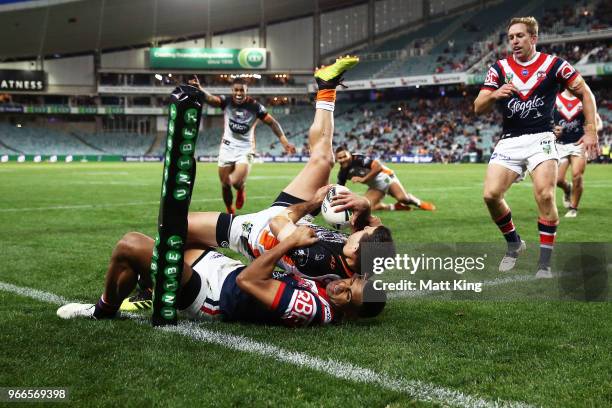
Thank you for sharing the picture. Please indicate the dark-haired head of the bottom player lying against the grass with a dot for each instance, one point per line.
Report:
(356, 297)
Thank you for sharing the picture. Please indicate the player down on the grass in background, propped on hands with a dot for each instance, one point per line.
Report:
(380, 180)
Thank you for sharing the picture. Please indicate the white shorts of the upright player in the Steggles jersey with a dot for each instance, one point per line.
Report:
(525, 152)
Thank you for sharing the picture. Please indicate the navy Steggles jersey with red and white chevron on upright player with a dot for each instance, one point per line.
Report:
(538, 81)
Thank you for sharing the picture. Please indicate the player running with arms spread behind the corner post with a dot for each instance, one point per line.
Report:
(240, 115)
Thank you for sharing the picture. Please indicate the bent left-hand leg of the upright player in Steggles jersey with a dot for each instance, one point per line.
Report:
(497, 181)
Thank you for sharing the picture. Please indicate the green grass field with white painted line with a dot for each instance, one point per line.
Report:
(59, 223)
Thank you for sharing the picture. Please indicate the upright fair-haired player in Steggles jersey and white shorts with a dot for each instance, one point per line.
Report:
(524, 86)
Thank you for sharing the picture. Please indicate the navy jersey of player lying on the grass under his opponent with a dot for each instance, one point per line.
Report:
(298, 302)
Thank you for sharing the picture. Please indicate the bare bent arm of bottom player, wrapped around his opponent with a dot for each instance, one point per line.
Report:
(256, 279)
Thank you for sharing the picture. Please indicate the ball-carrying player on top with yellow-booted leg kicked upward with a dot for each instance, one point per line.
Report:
(334, 255)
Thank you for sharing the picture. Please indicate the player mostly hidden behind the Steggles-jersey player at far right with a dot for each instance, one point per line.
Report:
(569, 128)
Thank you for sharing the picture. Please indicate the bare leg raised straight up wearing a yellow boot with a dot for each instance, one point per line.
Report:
(315, 173)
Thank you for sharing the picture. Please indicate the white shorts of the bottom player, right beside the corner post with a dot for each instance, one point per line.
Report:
(213, 268)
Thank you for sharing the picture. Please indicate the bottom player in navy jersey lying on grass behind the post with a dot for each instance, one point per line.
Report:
(215, 286)
